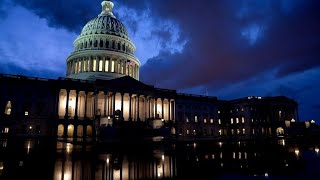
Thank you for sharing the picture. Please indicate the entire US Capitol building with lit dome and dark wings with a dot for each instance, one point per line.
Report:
(101, 98)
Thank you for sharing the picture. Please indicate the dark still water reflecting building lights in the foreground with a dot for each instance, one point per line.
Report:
(268, 159)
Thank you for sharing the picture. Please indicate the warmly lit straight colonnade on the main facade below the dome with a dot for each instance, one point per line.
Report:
(75, 104)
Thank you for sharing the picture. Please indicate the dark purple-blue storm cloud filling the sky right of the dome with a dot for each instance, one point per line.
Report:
(217, 54)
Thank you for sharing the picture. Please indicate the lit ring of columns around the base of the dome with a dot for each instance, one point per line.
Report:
(102, 64)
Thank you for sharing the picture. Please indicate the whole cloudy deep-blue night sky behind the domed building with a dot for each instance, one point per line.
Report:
(228, 48)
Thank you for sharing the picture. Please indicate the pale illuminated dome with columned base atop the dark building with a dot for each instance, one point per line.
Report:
(103, 50)
